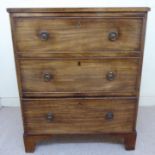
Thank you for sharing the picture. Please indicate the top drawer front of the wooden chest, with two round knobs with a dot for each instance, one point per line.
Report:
(77, 34)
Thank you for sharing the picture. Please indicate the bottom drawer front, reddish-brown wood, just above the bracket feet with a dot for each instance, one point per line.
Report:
(71, 116)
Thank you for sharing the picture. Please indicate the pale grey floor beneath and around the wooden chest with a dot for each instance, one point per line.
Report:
(11, 142)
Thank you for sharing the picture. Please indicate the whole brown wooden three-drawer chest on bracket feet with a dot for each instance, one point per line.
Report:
(78, 70)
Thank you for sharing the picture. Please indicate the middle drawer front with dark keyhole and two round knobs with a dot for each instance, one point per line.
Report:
(79, 77)
